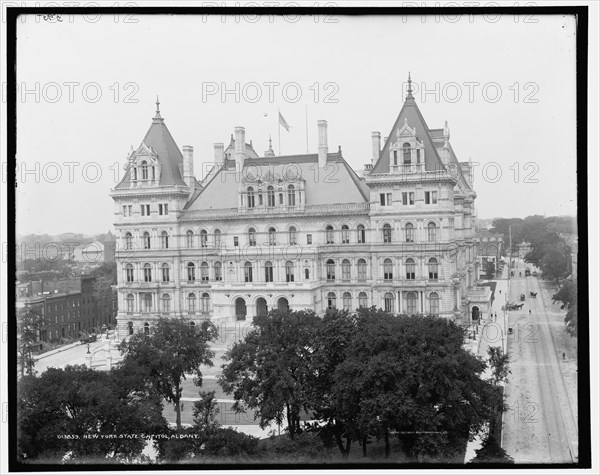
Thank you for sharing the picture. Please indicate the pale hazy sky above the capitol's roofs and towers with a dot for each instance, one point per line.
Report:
(505, 85)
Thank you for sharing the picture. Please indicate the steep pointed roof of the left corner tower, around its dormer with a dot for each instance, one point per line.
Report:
(170, 158)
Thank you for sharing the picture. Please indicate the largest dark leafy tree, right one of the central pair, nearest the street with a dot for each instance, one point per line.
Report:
(412, 376)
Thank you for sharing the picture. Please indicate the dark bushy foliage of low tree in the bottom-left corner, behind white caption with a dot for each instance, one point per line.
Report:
(81, 411)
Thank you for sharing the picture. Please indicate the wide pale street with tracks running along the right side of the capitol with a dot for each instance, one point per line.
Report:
(540, 425)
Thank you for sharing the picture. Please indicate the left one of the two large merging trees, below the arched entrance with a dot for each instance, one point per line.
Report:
(268, 371)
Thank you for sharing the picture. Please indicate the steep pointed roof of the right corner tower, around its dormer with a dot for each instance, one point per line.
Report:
(410, 111)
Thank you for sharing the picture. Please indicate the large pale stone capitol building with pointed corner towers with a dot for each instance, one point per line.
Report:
(295, 232)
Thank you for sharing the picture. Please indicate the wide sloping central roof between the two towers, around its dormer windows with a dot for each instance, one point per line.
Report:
(336, 183)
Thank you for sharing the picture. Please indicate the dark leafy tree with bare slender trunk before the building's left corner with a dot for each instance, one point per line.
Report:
(173, 349)
